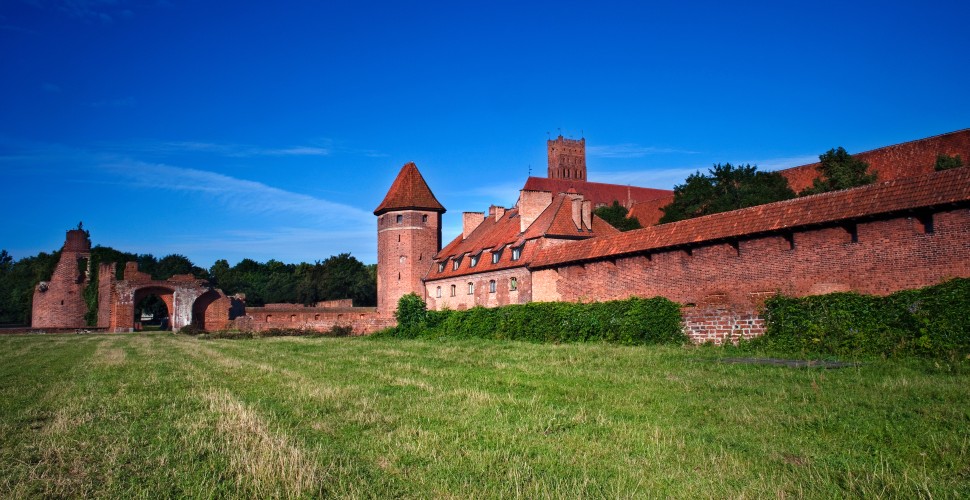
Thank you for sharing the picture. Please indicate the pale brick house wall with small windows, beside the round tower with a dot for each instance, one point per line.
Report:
(438, 293)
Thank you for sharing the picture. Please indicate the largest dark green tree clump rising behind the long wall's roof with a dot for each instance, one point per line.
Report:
(724, 188)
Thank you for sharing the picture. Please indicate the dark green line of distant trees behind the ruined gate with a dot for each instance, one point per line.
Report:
(338, 277)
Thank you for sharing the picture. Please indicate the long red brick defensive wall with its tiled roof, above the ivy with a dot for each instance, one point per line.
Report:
(902, 234)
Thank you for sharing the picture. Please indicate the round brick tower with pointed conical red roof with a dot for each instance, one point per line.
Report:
(408, 236)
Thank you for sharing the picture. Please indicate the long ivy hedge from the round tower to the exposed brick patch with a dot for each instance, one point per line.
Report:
(632, 321)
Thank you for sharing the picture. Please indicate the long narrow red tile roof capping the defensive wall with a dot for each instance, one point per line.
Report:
(897, 196)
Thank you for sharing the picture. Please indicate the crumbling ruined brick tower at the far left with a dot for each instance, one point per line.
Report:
(59, 303)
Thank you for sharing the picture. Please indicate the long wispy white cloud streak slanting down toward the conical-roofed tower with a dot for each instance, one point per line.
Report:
(245, 196)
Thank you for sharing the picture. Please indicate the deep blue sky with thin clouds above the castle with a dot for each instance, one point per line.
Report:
(223, 130)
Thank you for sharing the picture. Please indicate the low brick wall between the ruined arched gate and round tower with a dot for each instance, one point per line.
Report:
(362, 320)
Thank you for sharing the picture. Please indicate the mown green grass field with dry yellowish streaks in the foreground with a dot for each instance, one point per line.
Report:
(160, 415)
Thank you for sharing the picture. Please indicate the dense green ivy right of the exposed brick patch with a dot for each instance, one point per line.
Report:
(928, 322)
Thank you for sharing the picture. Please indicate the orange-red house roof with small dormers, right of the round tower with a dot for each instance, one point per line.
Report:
(500, 235)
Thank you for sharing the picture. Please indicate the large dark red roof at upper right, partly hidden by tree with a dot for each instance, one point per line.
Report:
(893, 162)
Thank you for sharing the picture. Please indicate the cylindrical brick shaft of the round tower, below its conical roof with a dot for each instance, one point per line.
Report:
(406, 242)
